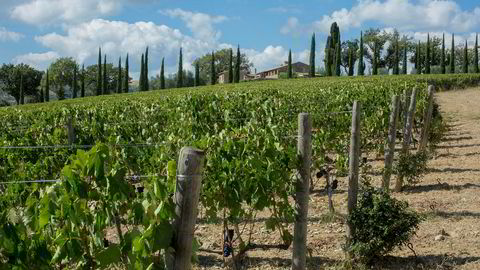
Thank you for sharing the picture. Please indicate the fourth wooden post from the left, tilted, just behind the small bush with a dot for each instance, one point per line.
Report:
(392, 135)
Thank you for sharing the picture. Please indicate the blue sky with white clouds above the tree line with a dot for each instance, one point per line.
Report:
(39, 31)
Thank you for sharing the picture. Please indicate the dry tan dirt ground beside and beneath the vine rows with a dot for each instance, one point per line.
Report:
(449, 195)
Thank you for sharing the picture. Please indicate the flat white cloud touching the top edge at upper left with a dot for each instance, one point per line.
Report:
(39, 12)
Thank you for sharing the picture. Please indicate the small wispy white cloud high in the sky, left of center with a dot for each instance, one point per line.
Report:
(200, 24)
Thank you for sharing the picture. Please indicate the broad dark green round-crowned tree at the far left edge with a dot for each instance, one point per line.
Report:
(10, 80)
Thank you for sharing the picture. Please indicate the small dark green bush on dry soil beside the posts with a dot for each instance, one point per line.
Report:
(382, 223)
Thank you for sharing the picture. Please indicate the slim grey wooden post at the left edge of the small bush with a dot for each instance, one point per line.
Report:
(353, 167)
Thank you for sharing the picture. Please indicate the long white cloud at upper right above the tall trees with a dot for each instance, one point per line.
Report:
(431, 15)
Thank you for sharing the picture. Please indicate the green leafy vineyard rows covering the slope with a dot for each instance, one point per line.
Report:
(112, 163)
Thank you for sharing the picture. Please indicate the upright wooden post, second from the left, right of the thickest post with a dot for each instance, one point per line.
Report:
(304, 150)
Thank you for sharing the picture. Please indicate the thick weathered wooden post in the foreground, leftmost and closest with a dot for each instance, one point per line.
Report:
(189, 182)
